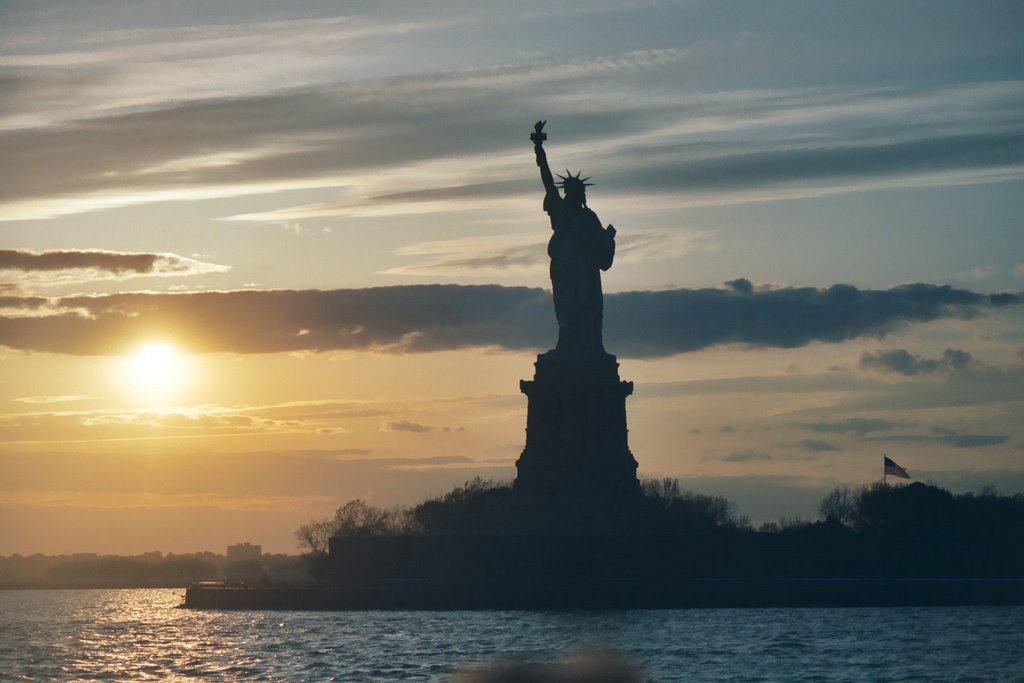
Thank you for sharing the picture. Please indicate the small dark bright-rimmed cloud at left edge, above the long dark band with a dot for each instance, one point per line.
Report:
(63, 267)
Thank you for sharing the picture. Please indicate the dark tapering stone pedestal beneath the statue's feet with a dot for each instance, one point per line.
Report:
(577, 442)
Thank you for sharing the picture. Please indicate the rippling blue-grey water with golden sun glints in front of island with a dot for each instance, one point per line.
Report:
(141, 635)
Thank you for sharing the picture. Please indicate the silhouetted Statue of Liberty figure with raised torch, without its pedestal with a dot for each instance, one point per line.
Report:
(580, 249)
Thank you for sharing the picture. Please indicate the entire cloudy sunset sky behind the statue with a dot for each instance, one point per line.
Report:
(260, 259)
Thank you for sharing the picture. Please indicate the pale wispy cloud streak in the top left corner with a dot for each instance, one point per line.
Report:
(90, 74)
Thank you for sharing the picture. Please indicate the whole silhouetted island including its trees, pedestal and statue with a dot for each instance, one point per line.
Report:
(579, 530)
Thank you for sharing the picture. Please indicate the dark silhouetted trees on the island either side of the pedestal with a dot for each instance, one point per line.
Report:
(916, 530)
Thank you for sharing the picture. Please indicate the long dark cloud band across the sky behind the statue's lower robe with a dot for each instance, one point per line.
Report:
(433, 318)
